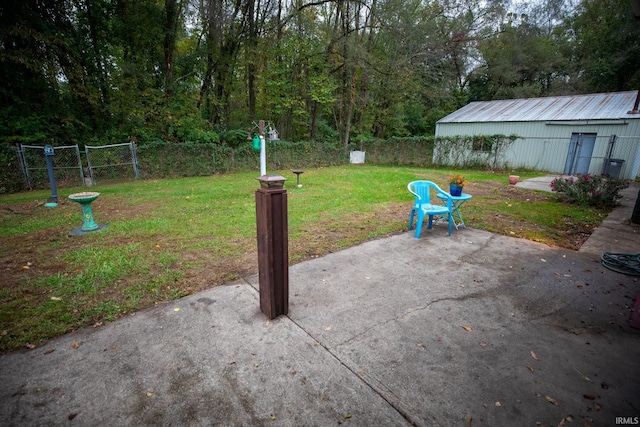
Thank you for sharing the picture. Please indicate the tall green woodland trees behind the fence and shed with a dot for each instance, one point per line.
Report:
(337, 70)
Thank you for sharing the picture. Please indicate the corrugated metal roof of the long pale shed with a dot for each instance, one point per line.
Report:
(598, 106)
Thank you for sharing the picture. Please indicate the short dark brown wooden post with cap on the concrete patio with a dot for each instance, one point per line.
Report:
(273, 245)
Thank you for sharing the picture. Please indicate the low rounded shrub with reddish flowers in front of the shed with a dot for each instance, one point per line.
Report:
(600, 191)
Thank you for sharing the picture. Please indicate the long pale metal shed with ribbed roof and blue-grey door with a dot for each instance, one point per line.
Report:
(577, 134)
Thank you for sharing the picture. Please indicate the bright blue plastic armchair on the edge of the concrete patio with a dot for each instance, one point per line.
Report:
(422, 191)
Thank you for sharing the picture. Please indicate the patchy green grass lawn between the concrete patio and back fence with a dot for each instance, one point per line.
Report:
(169, 238)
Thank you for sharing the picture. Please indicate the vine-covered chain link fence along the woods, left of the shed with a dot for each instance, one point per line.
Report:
(160, 159)
